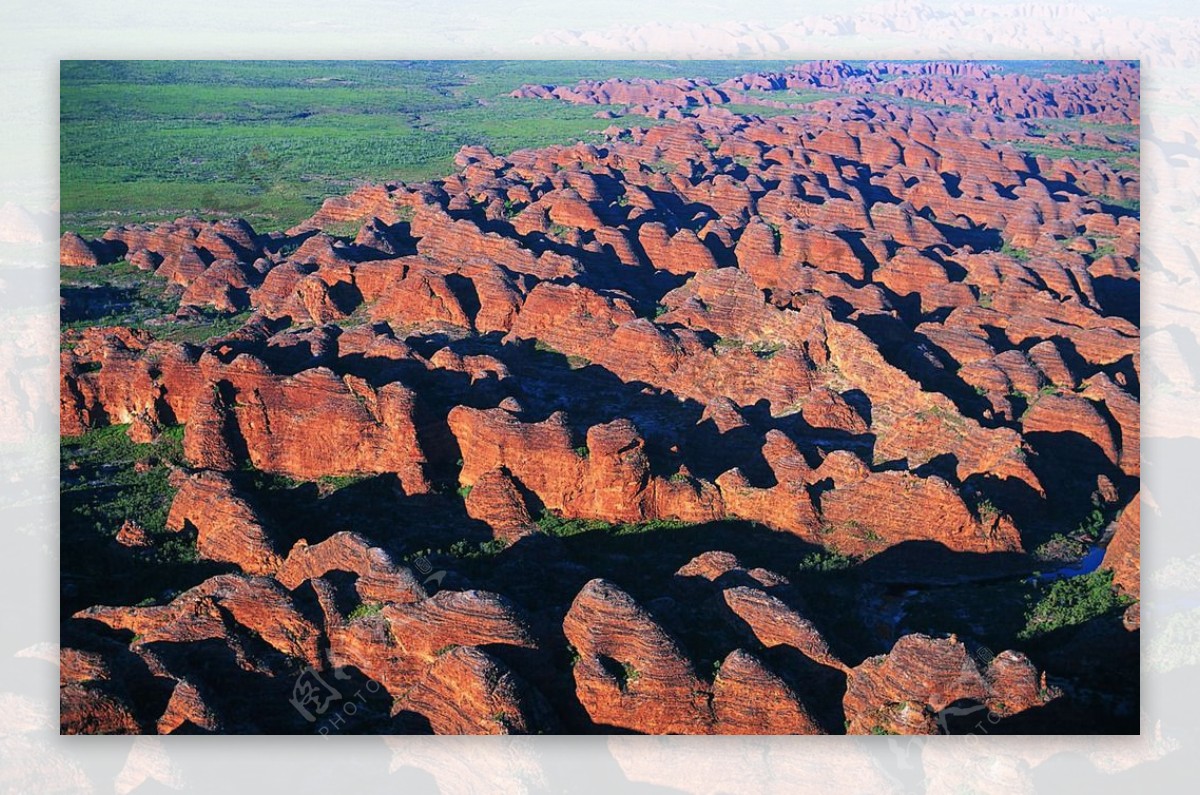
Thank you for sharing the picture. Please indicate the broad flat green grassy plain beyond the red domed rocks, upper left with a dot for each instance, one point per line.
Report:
(147, 141)
